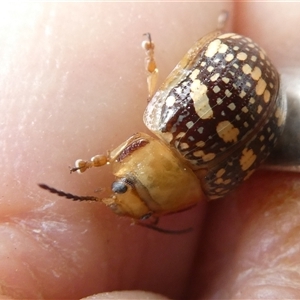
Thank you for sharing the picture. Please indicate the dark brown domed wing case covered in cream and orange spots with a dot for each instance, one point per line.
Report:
(221, 109)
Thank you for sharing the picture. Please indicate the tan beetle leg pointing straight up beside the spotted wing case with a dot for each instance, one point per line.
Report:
(150, 65)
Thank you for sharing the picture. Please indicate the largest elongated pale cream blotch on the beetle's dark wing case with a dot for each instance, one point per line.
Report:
(201, 101)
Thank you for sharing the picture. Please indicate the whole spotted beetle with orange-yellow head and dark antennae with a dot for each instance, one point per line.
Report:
(217, 117)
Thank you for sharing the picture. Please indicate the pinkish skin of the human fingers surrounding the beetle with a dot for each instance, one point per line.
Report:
(73, 86)
